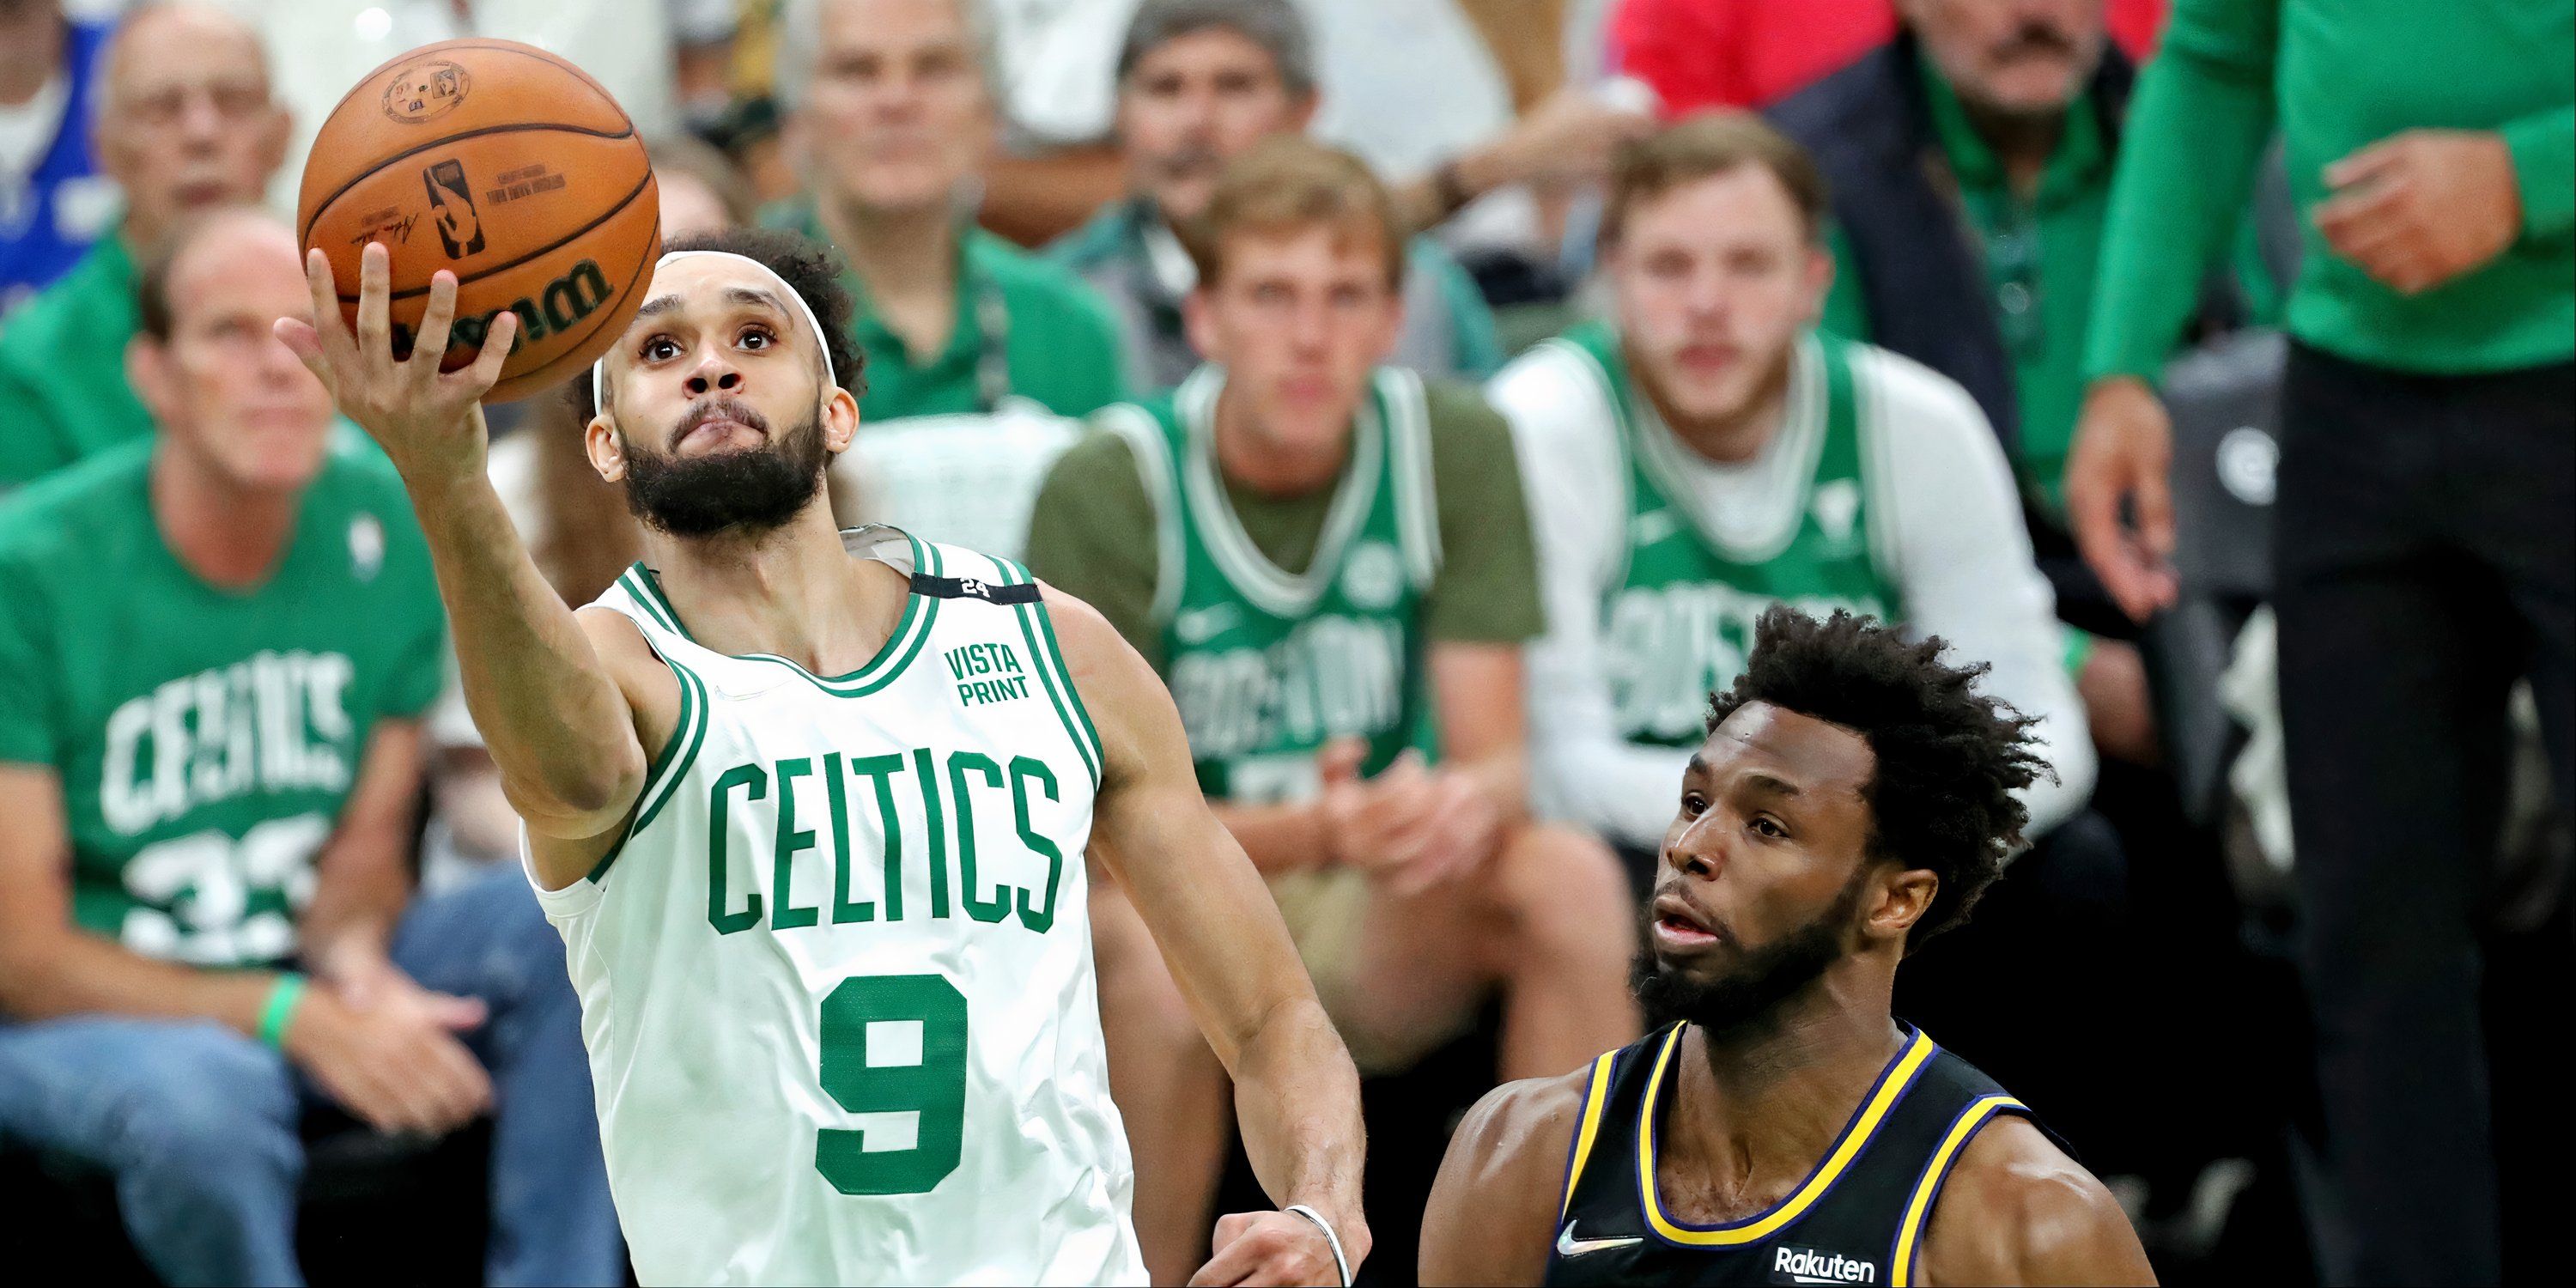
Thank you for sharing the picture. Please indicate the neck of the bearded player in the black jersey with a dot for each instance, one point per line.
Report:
(1761, 1106)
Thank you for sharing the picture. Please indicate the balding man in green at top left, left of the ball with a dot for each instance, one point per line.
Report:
(187, 125)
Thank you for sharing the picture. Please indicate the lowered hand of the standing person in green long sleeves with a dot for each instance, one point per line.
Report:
(2124, 452)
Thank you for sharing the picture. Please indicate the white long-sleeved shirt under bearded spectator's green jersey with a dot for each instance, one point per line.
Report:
(1954, 537)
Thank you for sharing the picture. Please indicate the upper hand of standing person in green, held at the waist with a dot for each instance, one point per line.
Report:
(2423, 207)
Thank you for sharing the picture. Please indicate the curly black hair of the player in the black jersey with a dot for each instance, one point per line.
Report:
(1949, 759)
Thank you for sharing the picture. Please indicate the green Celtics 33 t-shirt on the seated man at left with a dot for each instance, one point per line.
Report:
(207, 738)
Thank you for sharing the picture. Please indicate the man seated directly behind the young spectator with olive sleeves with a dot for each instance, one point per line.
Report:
(1199, 84)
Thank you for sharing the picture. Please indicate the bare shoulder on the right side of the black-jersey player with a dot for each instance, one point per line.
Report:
(2018, 1209)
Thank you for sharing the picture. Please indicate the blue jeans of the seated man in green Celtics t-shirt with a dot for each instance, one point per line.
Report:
(200, 1124)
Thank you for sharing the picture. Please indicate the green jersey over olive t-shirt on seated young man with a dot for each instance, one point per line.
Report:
(1284, 622)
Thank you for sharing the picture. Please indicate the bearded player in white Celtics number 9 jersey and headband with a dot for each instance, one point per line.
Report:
(810, 813)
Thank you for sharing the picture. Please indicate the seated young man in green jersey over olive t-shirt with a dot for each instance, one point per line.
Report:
(1331, 565)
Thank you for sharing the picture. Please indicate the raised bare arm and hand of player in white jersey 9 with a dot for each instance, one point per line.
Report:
(553, 707)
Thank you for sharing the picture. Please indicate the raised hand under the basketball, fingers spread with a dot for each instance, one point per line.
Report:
(429, 421)
